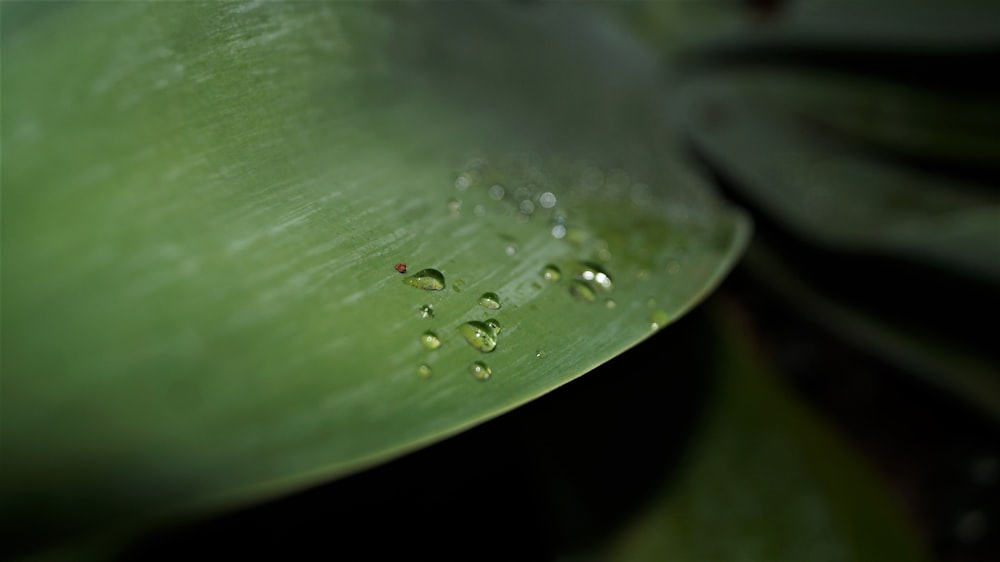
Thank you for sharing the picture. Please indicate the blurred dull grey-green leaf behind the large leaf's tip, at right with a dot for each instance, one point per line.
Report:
(831, 193)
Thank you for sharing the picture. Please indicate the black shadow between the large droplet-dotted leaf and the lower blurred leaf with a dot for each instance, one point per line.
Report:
(551, 477)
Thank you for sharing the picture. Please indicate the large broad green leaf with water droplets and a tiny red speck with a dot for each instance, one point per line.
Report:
(204, 204)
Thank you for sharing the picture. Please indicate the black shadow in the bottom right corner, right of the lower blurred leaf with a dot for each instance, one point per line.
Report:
(940, 457)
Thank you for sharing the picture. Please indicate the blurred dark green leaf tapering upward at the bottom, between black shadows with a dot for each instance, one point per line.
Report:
(767, 480)
